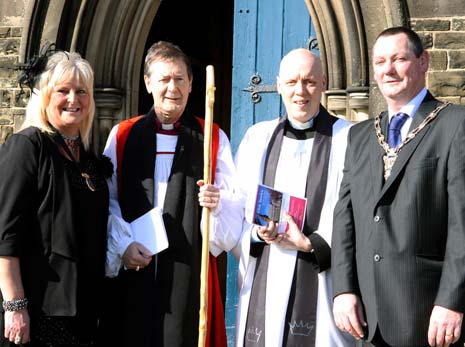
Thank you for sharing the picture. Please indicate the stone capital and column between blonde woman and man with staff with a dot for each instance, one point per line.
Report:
(108, 101)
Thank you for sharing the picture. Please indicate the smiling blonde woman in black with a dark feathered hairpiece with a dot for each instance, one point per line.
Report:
(54, 212)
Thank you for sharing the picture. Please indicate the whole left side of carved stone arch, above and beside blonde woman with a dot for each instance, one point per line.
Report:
(111, 35)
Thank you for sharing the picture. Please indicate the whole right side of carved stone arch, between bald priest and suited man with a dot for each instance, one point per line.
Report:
(345, 31)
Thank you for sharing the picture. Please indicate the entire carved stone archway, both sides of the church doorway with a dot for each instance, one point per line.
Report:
(112, 35)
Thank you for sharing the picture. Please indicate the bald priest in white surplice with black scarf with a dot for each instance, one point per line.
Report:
(285, 297)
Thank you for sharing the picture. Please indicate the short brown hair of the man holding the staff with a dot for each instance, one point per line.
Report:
(167, 51)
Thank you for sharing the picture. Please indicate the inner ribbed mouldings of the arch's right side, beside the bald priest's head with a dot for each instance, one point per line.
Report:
(341, 37)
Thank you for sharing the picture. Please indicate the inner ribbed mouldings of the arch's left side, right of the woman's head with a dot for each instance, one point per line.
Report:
(113, 38)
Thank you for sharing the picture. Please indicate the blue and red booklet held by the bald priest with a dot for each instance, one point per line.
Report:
(271, 204)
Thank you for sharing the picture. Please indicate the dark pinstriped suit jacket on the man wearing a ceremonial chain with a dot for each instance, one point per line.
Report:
(400, 244)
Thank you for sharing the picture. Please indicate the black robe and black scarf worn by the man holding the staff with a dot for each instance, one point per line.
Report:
(159, 305)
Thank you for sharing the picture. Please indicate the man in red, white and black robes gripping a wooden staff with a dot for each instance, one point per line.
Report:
(156, 198)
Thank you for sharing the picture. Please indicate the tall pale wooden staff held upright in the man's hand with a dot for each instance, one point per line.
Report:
(207, 149)
